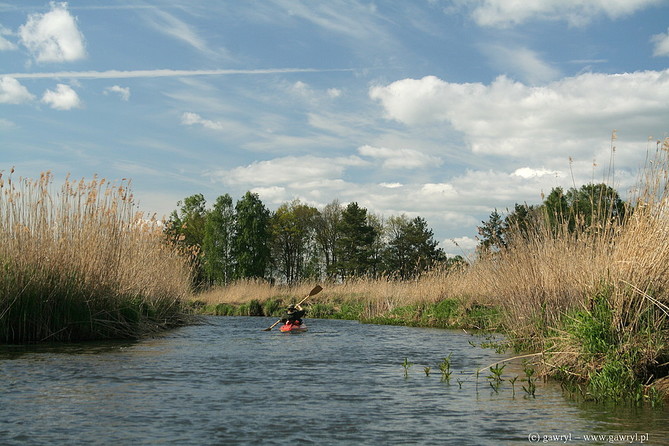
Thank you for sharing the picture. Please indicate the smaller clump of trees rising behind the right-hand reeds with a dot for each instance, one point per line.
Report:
(576, 211)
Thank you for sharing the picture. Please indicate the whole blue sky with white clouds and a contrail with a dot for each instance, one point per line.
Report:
(444, 109)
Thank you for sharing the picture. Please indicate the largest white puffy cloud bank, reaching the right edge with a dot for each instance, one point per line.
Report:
(514, 119)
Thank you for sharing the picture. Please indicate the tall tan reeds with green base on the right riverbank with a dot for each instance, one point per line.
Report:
(595, 300)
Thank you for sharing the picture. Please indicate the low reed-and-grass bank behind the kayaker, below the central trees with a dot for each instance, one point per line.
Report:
(369, 301)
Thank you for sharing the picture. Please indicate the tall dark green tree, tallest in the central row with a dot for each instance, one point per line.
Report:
(250, 242)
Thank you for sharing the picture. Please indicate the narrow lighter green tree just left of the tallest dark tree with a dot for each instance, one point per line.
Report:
(217, 243)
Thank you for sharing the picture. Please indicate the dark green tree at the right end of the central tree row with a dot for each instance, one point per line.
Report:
(411, 248)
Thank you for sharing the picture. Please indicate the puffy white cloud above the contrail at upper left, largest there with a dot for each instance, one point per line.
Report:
(53, 36)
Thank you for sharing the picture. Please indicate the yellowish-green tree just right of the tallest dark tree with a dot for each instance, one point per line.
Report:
(293, 227)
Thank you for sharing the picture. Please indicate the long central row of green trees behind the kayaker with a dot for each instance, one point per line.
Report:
(297, 242)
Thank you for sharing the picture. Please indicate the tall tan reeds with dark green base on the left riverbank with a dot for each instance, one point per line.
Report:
(79, 264)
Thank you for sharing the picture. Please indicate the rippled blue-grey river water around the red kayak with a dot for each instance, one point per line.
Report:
(228, 382)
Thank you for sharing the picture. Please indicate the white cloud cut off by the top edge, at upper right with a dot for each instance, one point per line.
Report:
(505, 13)
